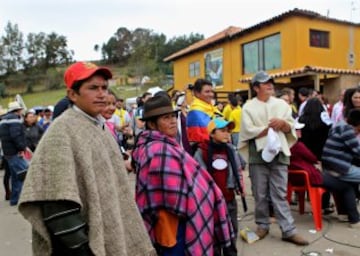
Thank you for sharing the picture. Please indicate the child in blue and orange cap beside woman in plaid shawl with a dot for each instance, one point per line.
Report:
(225, 165)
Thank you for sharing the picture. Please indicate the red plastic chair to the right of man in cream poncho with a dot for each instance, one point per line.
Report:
(298, 181)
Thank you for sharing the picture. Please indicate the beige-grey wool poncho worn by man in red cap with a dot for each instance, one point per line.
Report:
(79, 161)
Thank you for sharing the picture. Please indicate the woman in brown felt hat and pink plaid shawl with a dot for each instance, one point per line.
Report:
(176, 197)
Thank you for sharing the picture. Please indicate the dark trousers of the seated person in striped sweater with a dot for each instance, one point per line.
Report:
(345, 196)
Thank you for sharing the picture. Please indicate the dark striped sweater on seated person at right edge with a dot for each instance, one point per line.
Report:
(341, 148)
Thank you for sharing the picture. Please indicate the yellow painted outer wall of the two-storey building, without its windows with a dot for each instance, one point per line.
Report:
(295, 51)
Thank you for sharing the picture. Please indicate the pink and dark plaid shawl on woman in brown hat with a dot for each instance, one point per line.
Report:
(169, 178)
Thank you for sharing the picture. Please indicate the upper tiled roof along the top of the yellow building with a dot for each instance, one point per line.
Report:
(234, 32)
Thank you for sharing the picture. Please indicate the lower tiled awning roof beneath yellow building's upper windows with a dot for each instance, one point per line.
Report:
(308, 69)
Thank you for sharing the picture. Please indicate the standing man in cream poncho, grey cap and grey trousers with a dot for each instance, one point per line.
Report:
(268, 171)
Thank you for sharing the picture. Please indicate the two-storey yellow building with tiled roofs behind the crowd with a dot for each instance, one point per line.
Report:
(297, 48)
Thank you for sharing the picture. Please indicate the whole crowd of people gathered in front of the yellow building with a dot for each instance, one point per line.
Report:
(187, 162)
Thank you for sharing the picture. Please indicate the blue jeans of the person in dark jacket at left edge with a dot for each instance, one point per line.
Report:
(16, 164)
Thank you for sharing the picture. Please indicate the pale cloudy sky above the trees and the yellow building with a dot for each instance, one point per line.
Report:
(89, 22)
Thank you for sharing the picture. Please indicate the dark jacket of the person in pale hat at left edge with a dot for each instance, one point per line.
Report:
(12, 134)
